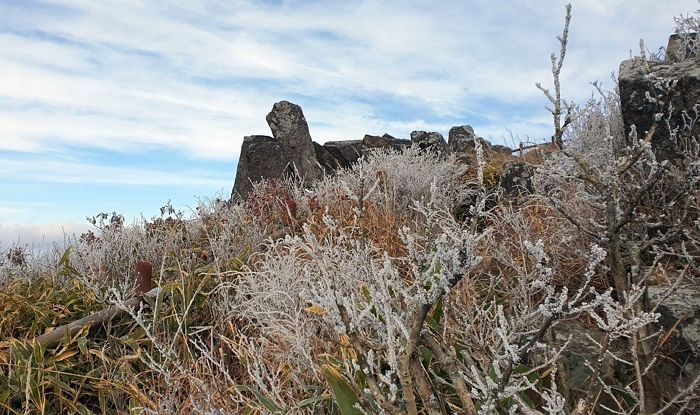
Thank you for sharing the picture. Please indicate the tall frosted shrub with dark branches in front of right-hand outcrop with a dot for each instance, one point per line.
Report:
(614, 190)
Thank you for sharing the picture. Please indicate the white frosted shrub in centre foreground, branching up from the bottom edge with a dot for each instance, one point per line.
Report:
(359, 291)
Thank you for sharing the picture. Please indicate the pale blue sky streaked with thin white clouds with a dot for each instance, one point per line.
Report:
(120, 106)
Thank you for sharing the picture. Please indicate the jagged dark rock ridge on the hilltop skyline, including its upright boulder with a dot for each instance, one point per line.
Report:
(291, 151)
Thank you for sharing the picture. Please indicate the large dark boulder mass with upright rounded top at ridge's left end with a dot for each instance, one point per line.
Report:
(290, 152)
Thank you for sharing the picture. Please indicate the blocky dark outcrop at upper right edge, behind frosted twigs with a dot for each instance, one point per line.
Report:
(636, 78)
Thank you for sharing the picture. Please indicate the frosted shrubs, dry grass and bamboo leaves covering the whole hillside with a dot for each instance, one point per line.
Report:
(407, 283)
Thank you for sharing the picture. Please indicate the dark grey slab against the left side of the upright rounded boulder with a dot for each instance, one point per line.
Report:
(261, 157)
